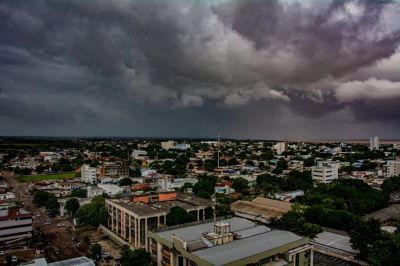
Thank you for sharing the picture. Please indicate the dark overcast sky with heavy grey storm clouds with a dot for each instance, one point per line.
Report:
(248, 69)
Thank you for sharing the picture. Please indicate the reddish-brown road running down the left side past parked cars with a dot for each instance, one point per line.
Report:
(60, 237)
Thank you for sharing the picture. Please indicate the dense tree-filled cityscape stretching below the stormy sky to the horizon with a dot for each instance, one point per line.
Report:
(199, 202)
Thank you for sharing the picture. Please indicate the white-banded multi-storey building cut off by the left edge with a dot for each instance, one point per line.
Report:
(15, 227)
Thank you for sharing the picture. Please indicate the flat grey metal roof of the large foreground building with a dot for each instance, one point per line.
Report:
(250, 239)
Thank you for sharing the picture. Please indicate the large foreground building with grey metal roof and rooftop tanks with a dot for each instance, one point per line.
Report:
(234, 241)
